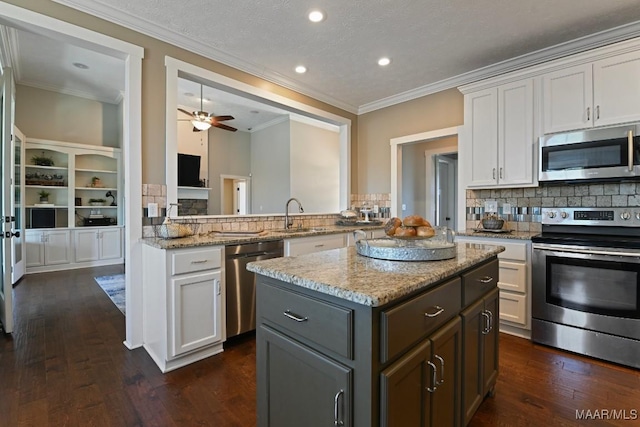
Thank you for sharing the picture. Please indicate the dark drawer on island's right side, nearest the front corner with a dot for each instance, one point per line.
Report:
(409, 322)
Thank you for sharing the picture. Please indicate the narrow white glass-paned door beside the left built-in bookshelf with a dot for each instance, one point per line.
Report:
(18, 248)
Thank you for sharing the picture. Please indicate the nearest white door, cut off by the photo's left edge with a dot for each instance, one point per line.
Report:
(6, 161)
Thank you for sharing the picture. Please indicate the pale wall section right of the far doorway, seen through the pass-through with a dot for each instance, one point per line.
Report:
(270, 169)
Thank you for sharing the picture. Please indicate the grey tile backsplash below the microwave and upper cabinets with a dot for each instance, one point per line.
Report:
(526, 203)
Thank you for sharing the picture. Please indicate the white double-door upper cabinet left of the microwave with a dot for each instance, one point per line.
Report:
(498, 140)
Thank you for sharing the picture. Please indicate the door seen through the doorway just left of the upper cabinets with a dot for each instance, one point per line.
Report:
(446, 185)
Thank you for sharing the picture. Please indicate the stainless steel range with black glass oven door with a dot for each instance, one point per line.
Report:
(586, 282)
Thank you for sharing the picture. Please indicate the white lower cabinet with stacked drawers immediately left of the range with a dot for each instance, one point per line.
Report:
(514, 283)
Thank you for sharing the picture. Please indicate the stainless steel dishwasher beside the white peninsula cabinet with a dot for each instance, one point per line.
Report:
(241, 284)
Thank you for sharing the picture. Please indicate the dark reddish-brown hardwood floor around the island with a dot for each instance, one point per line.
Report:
(65, 365)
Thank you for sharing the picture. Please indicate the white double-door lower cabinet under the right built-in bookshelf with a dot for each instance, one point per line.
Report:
(96, 244)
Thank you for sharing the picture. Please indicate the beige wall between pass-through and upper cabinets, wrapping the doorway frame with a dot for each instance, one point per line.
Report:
(375, 129)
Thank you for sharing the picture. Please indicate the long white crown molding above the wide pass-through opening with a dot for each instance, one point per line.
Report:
(143, 26)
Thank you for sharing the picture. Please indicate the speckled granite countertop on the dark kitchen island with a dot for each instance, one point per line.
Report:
(368, 281)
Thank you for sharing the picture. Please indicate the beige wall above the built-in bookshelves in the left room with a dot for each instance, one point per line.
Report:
(55, 116)
